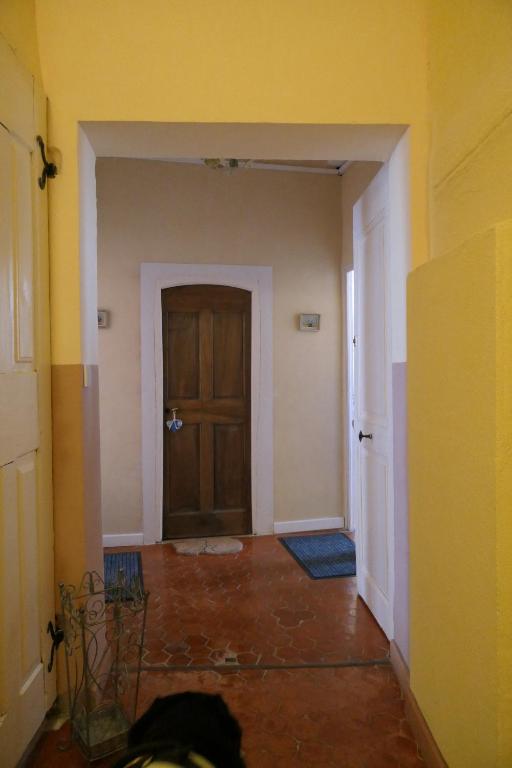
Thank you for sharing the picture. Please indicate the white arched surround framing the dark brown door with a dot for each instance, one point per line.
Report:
(154, 277)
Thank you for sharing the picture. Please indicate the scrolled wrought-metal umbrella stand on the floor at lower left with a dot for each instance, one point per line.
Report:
(103, 638)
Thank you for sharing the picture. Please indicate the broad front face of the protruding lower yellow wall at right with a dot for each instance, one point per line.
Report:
(452, 451)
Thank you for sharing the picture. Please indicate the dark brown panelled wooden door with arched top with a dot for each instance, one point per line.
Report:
(207, 377)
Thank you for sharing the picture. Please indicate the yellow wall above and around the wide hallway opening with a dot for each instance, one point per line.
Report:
(293, 61)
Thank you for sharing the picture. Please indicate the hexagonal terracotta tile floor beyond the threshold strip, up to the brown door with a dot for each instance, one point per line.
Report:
(259, 607)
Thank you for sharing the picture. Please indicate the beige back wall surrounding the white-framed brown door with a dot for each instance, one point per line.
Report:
(151, 211)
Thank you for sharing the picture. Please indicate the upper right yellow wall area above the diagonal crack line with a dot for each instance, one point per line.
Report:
(470, 76)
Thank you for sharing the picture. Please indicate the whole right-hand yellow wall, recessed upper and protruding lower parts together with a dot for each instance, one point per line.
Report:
(460, 317)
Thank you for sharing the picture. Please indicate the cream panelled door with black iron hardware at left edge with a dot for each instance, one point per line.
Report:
(26, 533)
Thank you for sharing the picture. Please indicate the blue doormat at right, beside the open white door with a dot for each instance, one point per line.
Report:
(323, 556)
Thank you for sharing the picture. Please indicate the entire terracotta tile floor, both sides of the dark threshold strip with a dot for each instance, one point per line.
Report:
(262, 607)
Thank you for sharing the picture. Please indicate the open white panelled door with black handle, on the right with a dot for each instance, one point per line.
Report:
(374, 536)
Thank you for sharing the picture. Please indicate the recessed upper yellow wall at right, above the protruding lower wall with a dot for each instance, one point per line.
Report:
(470, 64)
